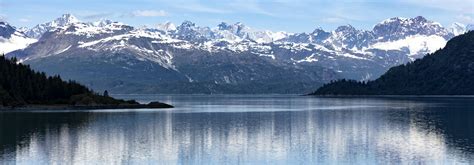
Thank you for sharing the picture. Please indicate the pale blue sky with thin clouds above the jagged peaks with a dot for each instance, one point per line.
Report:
(277, 15)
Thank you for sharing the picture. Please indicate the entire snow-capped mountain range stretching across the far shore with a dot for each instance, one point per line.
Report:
(228, 58)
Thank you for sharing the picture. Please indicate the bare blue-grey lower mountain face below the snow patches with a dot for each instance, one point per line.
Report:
(237, 74)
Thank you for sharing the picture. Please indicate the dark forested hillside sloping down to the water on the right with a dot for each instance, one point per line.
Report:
(449, 71)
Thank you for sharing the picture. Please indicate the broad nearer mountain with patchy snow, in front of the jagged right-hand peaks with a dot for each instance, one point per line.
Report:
(122, 59)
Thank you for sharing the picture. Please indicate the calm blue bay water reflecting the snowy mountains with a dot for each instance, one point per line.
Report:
(240, 129)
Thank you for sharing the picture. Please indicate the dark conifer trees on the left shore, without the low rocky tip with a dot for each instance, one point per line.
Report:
(20, 85)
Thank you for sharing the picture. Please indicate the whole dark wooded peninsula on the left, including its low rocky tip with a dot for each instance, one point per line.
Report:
(22, 88)
